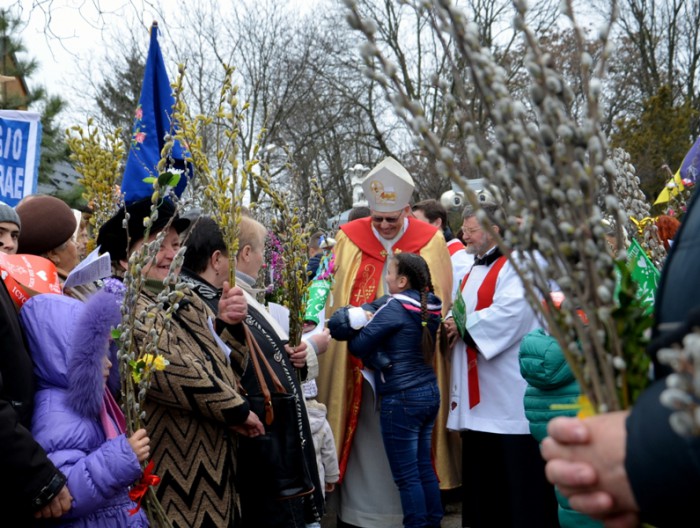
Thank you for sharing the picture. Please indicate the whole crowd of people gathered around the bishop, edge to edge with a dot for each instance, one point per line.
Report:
(425, 375)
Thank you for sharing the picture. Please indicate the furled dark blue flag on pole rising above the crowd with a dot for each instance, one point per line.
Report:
(152, 122)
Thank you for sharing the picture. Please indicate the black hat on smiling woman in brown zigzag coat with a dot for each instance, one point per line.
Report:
(112, 237)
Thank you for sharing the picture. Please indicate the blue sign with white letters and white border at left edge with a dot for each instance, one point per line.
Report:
(20, 140)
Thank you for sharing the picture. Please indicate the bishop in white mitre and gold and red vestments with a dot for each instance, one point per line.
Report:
(368, 496)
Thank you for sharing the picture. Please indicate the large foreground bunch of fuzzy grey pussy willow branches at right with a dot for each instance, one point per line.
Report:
(556, 178)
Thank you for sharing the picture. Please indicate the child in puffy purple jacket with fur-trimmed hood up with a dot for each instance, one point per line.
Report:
(75, 419)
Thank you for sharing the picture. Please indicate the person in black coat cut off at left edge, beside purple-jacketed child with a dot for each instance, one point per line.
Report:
(29, 482)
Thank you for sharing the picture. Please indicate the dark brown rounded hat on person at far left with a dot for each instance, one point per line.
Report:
(47, 222)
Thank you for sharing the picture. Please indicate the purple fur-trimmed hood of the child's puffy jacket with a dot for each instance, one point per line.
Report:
(68, 340)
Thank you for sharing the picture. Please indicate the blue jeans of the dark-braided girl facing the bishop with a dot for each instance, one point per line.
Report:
(407, 419)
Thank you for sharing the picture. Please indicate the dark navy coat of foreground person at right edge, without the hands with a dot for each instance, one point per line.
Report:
(663, 467)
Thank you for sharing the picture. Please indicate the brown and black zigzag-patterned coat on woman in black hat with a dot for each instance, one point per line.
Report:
(190, 408)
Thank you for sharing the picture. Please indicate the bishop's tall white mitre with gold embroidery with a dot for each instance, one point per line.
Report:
(388, 187)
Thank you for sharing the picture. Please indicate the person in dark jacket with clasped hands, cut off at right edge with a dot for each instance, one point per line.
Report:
(628, 466)
